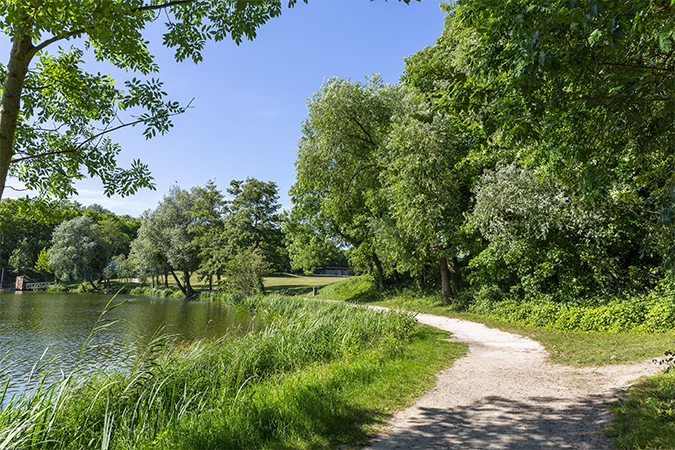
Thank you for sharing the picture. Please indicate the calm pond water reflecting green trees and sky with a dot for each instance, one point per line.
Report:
(49, 329)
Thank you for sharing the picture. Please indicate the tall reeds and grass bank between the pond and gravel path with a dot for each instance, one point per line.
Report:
(319, 376)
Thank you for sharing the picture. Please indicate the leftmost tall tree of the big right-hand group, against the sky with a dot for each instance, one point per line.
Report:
(337, 192)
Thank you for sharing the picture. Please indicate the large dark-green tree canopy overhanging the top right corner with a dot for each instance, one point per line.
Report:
(581, 90)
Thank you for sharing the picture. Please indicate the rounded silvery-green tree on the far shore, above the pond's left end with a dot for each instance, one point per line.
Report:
(74, 251)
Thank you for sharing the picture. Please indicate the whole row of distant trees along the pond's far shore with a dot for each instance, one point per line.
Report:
(233, 242)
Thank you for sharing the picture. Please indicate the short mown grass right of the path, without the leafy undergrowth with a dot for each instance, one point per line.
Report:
(645, 420)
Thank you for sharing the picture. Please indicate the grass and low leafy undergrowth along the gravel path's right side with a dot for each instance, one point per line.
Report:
(578, 335)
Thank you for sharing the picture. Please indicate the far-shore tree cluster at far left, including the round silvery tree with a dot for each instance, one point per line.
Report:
(86, 239)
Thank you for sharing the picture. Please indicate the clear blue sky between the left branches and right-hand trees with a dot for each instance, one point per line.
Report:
(250, 100)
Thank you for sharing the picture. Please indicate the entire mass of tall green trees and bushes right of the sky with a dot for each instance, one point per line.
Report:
(528, 154)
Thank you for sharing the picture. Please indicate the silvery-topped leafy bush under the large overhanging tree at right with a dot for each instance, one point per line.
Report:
(543, 240)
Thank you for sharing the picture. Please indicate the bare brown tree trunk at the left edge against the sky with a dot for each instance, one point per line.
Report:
(10, 104)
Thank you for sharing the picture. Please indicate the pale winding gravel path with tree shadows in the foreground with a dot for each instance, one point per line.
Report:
(506, 394)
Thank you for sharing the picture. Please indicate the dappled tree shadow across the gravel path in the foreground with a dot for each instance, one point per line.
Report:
(499, 423)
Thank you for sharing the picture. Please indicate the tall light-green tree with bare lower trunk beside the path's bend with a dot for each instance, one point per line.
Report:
(427, 186)
